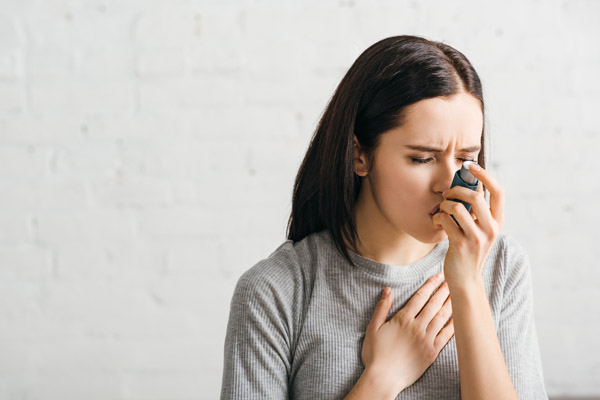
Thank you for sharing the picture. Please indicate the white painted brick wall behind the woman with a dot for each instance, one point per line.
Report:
(148, 151)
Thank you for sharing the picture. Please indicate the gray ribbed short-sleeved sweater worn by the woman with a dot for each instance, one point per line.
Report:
(298, 319)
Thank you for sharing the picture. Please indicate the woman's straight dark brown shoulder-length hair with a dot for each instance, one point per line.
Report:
(386, 78)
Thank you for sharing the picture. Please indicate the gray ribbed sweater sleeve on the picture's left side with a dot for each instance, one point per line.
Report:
(258, 343)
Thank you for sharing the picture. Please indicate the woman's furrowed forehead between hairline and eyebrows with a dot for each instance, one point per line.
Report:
(441, 122)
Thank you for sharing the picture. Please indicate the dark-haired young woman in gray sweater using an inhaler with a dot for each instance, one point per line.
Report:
(372, 235)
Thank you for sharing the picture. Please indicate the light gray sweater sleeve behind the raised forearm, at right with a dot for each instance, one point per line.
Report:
(516, 332)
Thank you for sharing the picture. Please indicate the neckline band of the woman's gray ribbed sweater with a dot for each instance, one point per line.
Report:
(432, 260)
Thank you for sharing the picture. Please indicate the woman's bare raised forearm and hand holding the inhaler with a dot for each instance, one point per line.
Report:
(482, 369)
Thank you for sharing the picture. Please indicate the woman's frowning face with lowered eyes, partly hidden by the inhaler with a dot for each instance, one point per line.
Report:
(414, 163)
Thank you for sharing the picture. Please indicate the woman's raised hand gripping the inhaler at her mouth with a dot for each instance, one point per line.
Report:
(470, 243)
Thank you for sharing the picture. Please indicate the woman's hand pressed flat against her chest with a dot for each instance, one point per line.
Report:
(400, 350)
